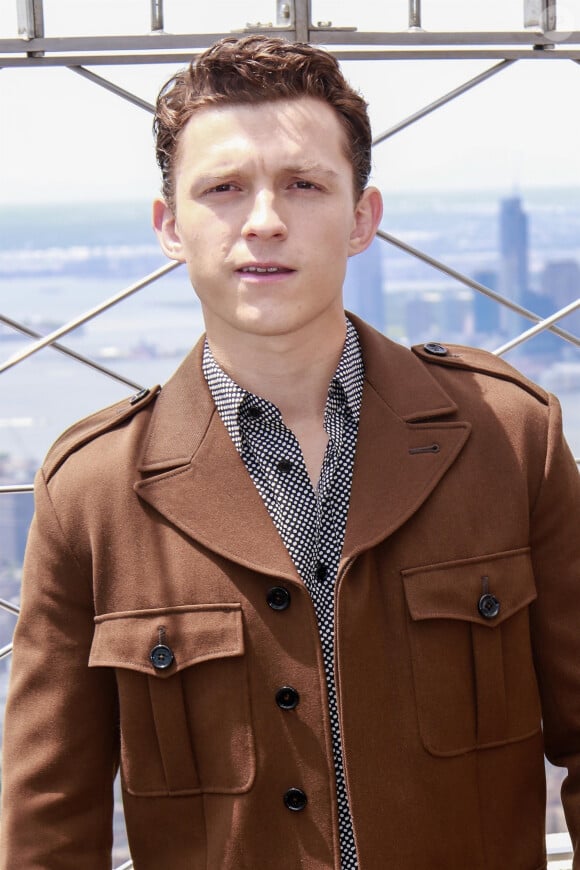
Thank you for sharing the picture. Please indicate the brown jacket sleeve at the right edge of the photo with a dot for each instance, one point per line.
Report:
(555, 544)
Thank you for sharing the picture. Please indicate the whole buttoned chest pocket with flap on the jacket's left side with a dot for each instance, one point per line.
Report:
(184, 698)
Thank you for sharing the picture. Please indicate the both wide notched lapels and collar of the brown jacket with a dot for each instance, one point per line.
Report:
(192, 474)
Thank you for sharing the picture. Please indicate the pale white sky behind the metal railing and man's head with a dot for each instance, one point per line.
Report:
(63, 139)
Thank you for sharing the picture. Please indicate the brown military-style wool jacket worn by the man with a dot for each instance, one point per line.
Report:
(149, 532)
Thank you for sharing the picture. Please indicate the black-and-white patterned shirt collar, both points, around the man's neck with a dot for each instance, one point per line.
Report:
(345, 389)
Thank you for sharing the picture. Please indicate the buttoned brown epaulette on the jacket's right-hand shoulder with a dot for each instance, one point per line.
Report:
(457, 356)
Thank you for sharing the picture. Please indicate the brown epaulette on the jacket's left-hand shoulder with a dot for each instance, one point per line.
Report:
(96, 424)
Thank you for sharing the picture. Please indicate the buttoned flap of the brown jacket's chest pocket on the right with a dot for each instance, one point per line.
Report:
(452, 590)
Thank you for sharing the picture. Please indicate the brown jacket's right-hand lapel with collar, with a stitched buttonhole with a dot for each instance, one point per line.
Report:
(405, 445)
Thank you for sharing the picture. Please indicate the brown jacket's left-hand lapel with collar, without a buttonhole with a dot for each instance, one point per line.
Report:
(193, 476)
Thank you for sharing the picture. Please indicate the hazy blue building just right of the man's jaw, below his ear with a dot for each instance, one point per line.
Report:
(363, 286)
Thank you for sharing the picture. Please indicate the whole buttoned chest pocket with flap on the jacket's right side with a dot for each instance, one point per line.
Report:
(471, 651)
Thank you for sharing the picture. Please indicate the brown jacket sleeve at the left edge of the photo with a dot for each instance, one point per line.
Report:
(61, 731)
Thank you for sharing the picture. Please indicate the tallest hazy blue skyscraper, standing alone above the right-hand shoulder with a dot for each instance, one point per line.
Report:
(513, 265)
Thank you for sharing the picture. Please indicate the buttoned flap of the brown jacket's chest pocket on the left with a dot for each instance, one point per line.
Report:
(193, 634)
